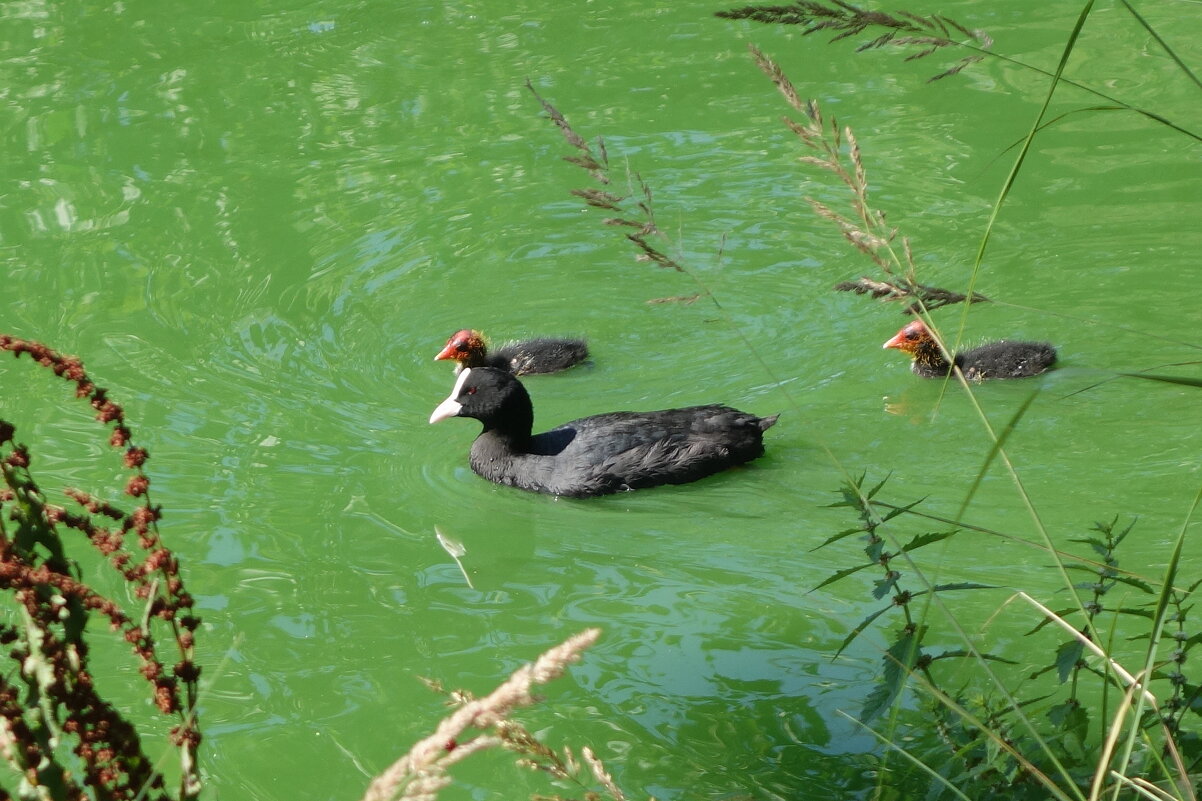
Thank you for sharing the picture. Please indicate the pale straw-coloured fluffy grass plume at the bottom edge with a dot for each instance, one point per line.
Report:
(423, 773)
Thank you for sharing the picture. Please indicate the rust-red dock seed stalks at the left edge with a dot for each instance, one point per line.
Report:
(58, 603)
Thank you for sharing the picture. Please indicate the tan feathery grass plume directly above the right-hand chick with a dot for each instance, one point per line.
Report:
(866, 229)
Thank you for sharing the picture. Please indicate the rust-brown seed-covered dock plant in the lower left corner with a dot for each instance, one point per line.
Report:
(52, 717)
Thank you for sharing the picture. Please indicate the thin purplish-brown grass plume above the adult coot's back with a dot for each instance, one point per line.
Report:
(597, 164)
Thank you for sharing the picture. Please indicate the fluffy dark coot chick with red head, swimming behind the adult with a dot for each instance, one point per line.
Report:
(995, 360)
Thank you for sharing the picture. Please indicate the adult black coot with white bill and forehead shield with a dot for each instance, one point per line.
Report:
(599, 455)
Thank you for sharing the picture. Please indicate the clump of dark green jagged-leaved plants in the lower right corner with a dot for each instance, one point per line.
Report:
(1080, 725)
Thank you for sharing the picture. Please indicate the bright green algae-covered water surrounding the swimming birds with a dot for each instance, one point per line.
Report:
(259, 223)
